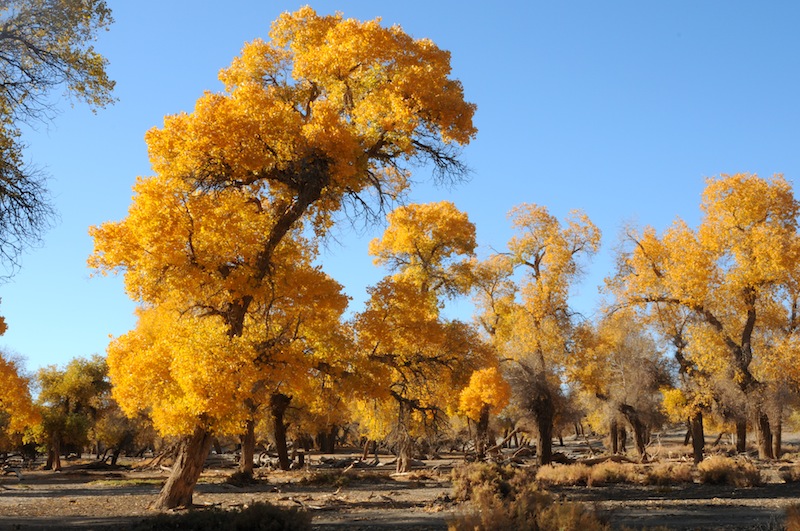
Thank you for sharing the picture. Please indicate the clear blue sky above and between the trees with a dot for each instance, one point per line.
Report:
(618, 108)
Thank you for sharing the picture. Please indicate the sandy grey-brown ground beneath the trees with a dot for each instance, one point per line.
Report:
(375, 498)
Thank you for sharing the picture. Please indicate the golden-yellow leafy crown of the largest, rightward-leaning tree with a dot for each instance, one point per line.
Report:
(218, 245)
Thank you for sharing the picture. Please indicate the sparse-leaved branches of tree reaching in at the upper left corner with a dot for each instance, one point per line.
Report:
(44, 44)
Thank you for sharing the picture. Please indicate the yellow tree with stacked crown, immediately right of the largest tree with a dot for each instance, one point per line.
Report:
(413, 359)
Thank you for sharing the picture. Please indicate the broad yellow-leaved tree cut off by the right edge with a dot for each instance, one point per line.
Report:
(731, 273)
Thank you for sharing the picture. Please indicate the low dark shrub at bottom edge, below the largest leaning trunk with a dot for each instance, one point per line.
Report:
(257, 517)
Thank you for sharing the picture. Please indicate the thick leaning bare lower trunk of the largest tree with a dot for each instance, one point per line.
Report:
(192, 453)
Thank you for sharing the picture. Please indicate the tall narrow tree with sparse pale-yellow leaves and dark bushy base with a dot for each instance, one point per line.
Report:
(528, 317)
